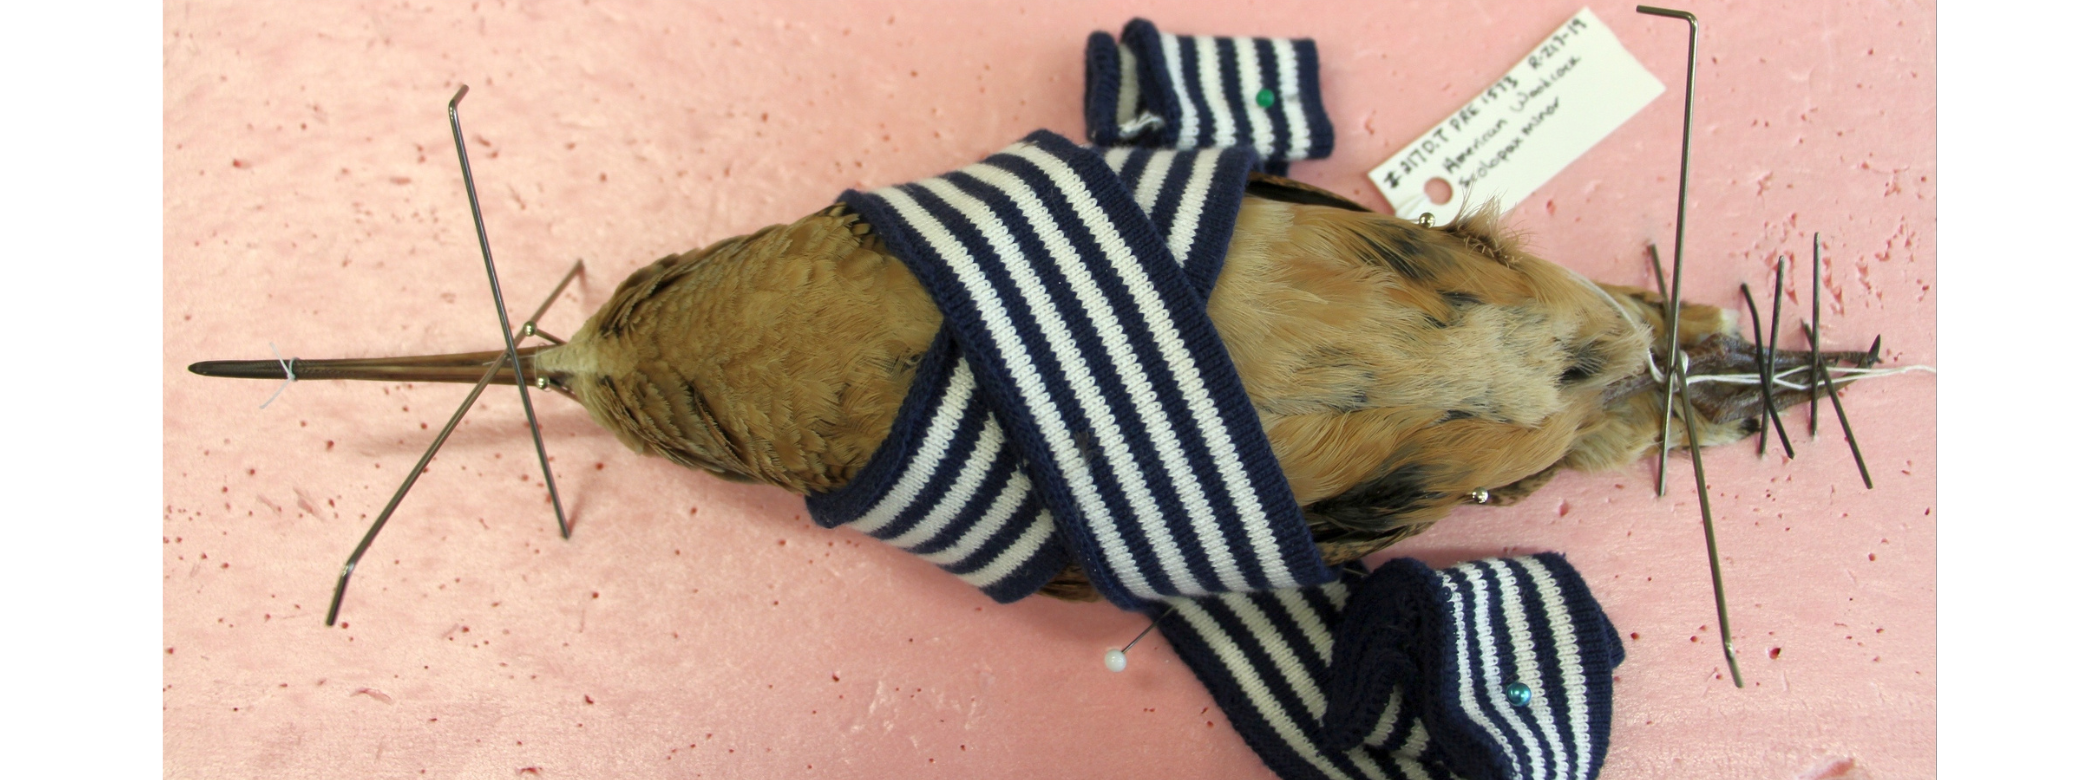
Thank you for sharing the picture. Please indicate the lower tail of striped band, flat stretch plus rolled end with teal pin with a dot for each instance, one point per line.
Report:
(1488, 670)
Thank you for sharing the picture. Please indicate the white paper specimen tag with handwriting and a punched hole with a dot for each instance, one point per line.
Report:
(1513, 138)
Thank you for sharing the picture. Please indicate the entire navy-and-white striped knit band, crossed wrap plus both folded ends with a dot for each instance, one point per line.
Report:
(1078, 407)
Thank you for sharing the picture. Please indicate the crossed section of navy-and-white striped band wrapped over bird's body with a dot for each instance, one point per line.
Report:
(1078, 390)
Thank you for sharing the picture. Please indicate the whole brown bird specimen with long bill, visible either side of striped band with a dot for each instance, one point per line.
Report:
(1398, 369)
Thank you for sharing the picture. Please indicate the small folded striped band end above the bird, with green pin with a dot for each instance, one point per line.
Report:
(1200, 91)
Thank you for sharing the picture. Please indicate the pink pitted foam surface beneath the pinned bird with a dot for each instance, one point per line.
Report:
(694, 628)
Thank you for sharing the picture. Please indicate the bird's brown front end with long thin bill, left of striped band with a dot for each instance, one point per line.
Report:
(776, 358)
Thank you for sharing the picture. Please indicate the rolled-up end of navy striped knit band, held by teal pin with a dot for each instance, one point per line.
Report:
(1507, 665)
